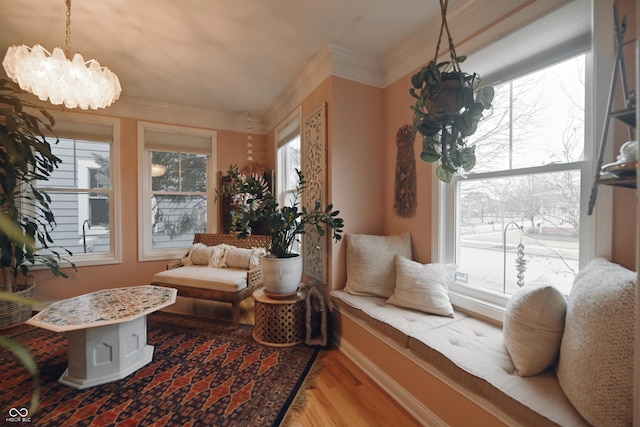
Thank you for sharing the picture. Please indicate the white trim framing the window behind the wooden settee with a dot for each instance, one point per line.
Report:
(145, 249)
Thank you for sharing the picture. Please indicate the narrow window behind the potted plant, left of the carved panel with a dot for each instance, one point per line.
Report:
(288, 160)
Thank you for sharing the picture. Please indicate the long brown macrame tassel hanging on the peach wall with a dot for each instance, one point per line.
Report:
(405, 190)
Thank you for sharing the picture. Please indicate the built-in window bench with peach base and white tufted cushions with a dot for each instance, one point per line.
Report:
(464, 356)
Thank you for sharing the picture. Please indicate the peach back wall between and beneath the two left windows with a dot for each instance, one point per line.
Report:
(231, 149)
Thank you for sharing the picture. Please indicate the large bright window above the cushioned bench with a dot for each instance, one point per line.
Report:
(529, 186)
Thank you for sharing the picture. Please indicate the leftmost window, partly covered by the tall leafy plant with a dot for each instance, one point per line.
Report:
(83, 189)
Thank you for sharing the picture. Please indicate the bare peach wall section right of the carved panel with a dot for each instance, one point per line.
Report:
(356, 164)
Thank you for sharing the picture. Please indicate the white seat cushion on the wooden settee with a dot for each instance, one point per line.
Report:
(196, 276)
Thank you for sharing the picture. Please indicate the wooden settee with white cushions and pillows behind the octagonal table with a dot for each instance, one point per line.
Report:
(218, 267)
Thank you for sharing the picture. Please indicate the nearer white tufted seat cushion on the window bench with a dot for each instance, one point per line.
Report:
(473, 354)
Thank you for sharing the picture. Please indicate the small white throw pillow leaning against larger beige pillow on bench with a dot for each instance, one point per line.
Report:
(423, 287)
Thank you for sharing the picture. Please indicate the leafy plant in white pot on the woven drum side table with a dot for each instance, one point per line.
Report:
(285, 225)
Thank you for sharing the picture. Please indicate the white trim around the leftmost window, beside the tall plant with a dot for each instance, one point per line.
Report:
(68, 122)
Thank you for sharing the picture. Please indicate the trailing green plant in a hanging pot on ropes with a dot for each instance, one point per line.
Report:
(449, 104)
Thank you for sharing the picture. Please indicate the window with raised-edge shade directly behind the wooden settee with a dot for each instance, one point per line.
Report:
(177, 189)
